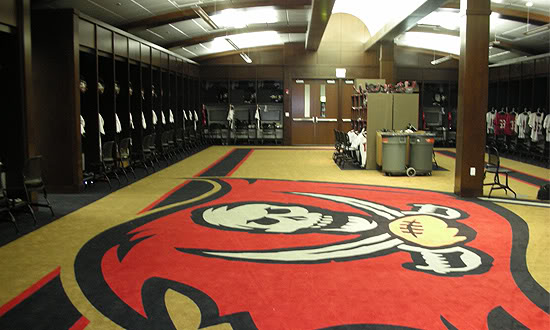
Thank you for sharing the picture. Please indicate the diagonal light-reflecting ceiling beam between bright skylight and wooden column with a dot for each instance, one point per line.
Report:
(402, 23)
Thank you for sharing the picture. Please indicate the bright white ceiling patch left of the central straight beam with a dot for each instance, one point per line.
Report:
(240, 18)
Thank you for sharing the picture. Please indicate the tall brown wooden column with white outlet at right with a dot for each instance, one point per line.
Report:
(472, 97)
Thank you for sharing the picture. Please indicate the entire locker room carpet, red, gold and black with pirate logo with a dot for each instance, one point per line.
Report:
(280, 238)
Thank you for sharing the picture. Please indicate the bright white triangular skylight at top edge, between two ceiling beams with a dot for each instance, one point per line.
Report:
(375, 14)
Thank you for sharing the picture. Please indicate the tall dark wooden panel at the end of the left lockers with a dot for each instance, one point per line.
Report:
(57, 121)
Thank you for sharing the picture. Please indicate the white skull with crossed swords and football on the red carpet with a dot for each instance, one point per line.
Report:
(428, 232)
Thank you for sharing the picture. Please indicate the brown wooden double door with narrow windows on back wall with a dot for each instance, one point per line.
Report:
(317, 109)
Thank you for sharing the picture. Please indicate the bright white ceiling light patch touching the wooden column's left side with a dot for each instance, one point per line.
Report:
(432, 41)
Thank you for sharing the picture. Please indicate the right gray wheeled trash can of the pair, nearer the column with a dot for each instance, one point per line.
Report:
(421, 151)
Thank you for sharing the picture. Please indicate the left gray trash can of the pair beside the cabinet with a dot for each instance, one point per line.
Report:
(394, 153)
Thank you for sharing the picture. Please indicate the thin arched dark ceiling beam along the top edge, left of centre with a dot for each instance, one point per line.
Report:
(188, 13)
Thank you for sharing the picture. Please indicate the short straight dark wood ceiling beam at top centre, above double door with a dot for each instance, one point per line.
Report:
(320, 15)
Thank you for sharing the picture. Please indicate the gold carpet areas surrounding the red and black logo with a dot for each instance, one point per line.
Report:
(27, 260)
